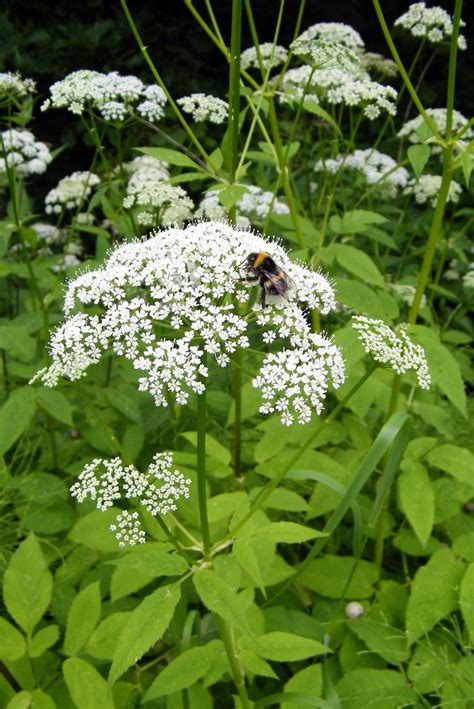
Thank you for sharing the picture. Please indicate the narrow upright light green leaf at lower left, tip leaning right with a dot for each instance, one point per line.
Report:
(83, 616)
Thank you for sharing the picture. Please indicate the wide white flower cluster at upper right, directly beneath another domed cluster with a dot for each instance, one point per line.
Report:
(337, 86)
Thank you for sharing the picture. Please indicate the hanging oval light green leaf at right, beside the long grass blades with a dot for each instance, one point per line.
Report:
(417, 499)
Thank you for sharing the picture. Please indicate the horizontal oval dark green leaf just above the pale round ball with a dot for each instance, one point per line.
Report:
(329, 575)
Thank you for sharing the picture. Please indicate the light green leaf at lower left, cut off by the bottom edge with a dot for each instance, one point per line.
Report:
(87, 687)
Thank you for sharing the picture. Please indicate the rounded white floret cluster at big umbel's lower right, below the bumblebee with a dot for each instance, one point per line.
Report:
(294, 382)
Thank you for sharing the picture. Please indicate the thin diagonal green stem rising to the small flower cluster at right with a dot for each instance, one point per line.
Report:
(268, 489)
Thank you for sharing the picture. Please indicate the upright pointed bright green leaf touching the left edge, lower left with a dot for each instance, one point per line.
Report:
(27, 585)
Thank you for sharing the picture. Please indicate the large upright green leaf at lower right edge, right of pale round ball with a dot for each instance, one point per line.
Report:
(434, 593)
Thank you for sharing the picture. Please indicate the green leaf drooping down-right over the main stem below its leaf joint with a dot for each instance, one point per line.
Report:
(220, 598)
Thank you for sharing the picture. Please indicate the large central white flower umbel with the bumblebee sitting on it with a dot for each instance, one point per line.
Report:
(170, 299)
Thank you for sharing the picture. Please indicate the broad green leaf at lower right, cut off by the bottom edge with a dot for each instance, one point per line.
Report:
(377, 689)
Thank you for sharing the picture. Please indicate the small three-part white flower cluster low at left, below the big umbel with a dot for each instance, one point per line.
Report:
(158, 490)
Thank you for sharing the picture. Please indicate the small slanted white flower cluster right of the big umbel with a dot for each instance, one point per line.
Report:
(394, 349)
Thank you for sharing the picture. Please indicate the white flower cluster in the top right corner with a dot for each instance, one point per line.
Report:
(434, 23)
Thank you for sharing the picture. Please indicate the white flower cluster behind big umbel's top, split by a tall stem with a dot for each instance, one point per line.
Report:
(253, 207)
